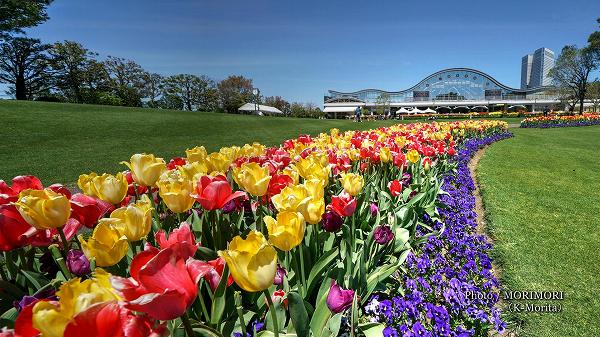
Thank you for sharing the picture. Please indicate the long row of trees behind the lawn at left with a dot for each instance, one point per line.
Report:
(67, 71)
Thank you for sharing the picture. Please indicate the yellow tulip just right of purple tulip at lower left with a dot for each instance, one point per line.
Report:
(107, 245)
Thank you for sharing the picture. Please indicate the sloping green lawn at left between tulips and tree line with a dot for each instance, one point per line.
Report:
(57, 142)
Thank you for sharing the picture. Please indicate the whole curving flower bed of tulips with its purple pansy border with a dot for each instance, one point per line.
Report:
(299, 239)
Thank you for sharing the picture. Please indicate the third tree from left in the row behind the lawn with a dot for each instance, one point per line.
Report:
(126, 80)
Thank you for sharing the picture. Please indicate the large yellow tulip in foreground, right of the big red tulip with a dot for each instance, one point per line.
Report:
(252, 262)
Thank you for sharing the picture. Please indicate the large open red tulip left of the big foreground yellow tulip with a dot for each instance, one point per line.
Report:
(163, 284)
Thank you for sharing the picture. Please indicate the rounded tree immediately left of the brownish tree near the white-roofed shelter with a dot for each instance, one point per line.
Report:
(194, 92)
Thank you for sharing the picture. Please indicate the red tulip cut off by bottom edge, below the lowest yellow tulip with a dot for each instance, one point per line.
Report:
(109, 319)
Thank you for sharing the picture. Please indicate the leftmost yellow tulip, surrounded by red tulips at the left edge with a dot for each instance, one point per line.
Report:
(43, 209)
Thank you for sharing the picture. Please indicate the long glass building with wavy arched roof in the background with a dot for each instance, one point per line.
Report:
(448, 85)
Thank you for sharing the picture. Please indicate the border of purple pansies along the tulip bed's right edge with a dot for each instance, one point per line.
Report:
(449, 288)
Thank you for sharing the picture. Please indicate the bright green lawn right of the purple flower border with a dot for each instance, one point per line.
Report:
(541, 192)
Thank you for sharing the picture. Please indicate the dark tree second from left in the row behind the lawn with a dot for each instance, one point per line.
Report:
(76, 68)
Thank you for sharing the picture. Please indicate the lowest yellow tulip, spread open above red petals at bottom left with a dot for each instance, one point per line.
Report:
(74, 296)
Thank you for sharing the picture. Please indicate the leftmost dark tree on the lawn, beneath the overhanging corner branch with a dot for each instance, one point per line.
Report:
(24, 66)
